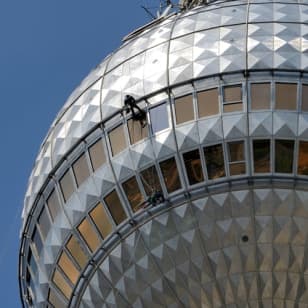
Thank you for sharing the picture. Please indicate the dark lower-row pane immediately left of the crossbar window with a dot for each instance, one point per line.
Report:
(214, 158)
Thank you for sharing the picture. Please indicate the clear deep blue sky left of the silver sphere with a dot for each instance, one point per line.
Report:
(47, 48)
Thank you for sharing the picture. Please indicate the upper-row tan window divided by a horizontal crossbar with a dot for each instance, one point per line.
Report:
(232, 98)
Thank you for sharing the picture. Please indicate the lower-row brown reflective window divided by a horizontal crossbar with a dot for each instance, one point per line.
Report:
(236, 157)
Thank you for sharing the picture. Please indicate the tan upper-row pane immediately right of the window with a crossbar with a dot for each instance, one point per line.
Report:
(260, 95)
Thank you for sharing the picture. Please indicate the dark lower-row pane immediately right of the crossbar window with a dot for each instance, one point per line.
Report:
(261, 156)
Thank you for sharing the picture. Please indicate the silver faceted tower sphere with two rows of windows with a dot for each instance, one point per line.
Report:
(176, 174)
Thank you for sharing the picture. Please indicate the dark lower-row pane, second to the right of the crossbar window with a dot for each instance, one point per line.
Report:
(284, 156)
